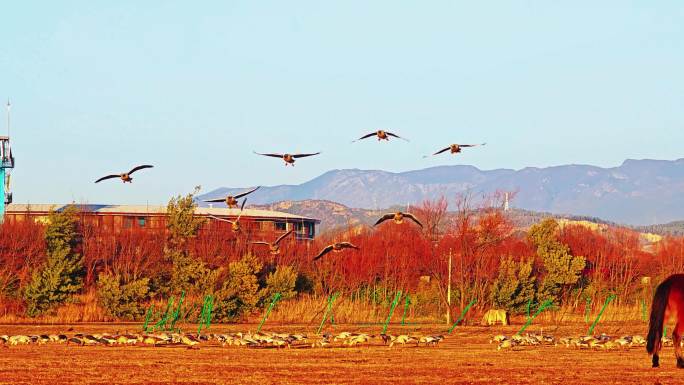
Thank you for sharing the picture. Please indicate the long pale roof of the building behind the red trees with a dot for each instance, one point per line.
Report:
(154, 209)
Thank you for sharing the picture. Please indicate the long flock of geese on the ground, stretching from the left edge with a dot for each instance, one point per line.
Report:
(251, 340)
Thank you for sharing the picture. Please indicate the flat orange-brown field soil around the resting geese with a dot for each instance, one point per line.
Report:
(465, 357)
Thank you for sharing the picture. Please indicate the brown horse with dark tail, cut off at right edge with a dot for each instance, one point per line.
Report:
(668, 303)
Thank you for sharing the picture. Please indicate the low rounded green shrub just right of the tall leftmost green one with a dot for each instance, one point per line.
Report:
(120, 299)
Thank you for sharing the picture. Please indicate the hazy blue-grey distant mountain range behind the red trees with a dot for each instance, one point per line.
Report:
(638, 192)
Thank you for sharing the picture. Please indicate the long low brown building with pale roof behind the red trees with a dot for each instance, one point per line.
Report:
(116, 218)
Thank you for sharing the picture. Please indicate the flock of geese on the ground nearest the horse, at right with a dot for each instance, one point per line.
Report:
(600, 342)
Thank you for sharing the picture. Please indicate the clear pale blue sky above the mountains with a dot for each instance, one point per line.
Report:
(194, 87)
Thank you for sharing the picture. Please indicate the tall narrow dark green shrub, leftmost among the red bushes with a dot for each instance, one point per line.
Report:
(62, 275)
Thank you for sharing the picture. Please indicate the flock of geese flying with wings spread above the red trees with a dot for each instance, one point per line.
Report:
(232, 200)
